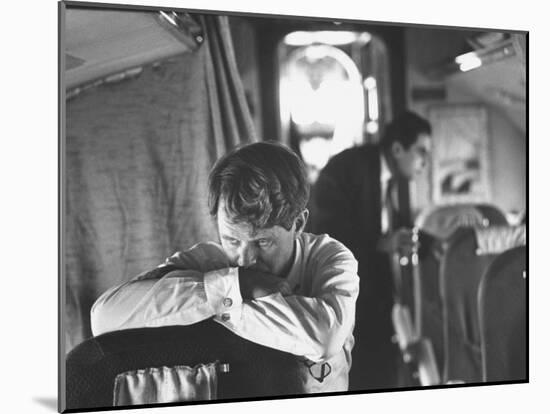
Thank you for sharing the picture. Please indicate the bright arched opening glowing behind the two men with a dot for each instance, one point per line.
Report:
(321, 92)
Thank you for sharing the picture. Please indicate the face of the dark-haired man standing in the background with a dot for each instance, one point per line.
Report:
(411, 162)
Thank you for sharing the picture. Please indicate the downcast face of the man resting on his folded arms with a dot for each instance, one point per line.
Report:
(269, 250)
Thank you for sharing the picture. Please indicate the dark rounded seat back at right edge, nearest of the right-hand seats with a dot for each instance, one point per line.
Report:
(502, 299)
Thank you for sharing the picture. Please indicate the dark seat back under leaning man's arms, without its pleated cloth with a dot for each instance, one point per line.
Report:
(254, 370)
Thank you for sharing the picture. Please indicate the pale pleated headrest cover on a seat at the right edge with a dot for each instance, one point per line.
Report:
(495, 240)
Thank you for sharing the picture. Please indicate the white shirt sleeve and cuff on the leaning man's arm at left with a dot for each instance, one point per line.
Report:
(185, 295)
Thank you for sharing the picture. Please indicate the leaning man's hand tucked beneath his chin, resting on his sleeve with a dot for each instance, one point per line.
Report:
(255, 284)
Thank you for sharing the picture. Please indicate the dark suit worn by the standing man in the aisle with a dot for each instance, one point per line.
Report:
(346, 203)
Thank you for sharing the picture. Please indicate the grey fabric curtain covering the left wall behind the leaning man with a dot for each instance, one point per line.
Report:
(136, 163)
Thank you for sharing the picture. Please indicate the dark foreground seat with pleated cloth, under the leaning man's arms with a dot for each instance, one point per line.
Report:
(175, 363)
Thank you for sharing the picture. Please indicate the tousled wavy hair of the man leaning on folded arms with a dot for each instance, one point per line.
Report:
(263, 184)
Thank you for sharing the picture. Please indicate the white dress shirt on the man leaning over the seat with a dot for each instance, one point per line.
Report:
(315, 322)
